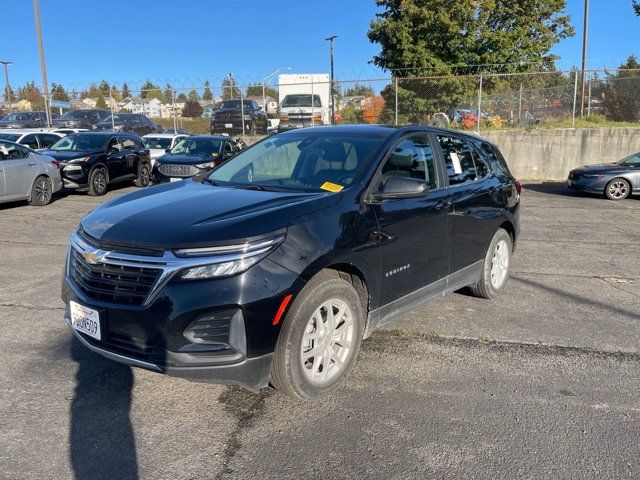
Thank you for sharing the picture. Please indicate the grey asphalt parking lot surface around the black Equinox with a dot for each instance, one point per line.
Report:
(543, 382)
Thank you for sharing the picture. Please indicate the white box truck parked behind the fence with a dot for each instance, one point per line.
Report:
(297, 109)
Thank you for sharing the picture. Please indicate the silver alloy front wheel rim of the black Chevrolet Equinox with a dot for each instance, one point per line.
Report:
(327, 342)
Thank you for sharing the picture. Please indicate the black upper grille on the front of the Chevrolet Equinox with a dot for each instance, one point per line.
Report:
(112, 283)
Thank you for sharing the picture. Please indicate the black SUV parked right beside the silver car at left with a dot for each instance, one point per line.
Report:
(90, 161)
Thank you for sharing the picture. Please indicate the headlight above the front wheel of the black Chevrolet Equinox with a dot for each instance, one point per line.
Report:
(227, 260)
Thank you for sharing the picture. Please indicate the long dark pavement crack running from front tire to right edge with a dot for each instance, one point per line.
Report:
(505, 345)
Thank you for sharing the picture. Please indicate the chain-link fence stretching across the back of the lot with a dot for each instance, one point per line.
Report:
(478, 101)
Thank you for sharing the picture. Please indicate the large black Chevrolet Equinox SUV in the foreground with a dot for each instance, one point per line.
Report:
(274, 267)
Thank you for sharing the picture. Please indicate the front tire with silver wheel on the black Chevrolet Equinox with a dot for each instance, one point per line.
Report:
(320, 338)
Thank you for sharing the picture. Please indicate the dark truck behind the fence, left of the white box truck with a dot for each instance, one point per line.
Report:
(229, 118)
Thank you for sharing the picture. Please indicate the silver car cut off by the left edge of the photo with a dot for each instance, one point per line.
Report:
(27, 175)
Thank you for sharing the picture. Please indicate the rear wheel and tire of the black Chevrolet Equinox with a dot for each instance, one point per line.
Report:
(496, 267)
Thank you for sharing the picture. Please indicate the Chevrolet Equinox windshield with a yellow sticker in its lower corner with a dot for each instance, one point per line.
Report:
(302, 162)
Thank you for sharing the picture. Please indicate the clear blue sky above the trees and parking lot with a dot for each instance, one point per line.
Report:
(188, 40)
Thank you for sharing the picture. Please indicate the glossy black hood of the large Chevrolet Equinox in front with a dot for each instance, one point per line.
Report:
(193, 214)
